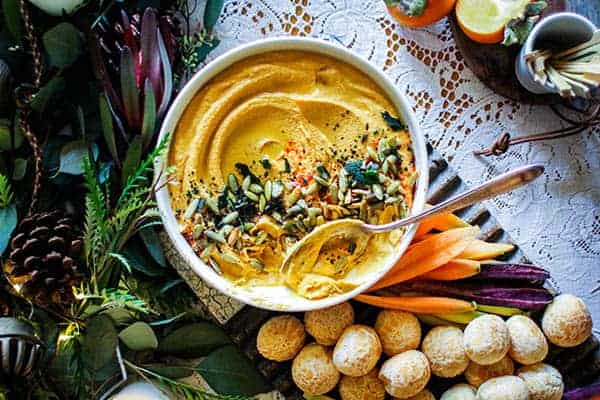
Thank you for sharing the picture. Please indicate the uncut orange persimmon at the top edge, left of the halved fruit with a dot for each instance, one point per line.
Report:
(433, 11)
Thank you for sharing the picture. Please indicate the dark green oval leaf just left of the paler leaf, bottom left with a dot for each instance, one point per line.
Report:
(99, 342)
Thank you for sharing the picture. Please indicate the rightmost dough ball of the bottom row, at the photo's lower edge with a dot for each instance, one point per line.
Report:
(543, 381)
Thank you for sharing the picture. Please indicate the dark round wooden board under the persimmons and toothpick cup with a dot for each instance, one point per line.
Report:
(494, 64)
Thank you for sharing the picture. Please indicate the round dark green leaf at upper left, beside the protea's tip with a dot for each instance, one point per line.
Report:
(64, 44)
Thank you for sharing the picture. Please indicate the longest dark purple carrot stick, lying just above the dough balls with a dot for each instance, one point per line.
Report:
(523, 297)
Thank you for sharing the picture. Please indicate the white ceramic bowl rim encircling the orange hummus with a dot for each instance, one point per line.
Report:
(279, 297)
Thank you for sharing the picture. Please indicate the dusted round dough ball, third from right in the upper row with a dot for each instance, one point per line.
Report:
(486, 339)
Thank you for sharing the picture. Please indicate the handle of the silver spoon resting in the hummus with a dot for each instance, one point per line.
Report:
(501, 184)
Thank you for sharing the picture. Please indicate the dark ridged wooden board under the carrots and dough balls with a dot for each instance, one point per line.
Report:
(579, 365)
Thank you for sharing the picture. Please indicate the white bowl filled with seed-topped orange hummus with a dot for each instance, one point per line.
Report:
(269, 142)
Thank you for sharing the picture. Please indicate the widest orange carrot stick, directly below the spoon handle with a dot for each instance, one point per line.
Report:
(428, 255)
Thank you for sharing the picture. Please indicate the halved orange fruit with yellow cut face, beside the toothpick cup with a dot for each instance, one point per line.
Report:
(484, 20)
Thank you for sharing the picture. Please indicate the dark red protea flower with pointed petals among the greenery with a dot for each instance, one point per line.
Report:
(133, 60)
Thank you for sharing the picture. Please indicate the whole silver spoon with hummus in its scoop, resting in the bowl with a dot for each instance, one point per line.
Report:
(303, 255)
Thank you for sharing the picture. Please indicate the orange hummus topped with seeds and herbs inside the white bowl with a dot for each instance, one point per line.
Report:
(278, 144)
